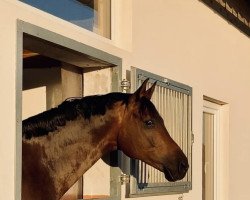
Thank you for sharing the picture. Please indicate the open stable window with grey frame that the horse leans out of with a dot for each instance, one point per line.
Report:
(52, 68)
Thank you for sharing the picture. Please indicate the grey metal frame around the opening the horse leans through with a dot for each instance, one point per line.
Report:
(26, 29)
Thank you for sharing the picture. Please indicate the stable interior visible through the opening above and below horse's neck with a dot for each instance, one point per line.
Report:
(51, 74)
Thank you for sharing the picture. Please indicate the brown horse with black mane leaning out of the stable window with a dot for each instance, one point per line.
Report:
(61, 144)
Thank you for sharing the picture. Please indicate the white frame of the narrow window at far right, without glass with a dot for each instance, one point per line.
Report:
(220, 111)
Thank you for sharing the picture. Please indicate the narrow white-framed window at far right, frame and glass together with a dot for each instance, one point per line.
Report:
(215, 141)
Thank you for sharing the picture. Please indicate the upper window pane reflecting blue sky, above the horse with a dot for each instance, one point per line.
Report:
(93, 15)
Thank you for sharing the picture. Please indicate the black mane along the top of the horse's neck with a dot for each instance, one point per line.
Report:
(49, 121)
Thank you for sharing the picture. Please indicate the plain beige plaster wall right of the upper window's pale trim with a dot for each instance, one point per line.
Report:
(188, 42)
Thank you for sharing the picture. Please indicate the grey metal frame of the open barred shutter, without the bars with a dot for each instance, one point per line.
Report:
(132, 188)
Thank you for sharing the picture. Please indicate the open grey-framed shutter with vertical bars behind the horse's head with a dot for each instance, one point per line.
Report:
(173, 100)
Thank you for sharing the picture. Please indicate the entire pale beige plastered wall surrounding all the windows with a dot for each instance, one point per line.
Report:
(182, 40)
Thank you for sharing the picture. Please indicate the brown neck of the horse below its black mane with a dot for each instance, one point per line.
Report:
(64, 155)
